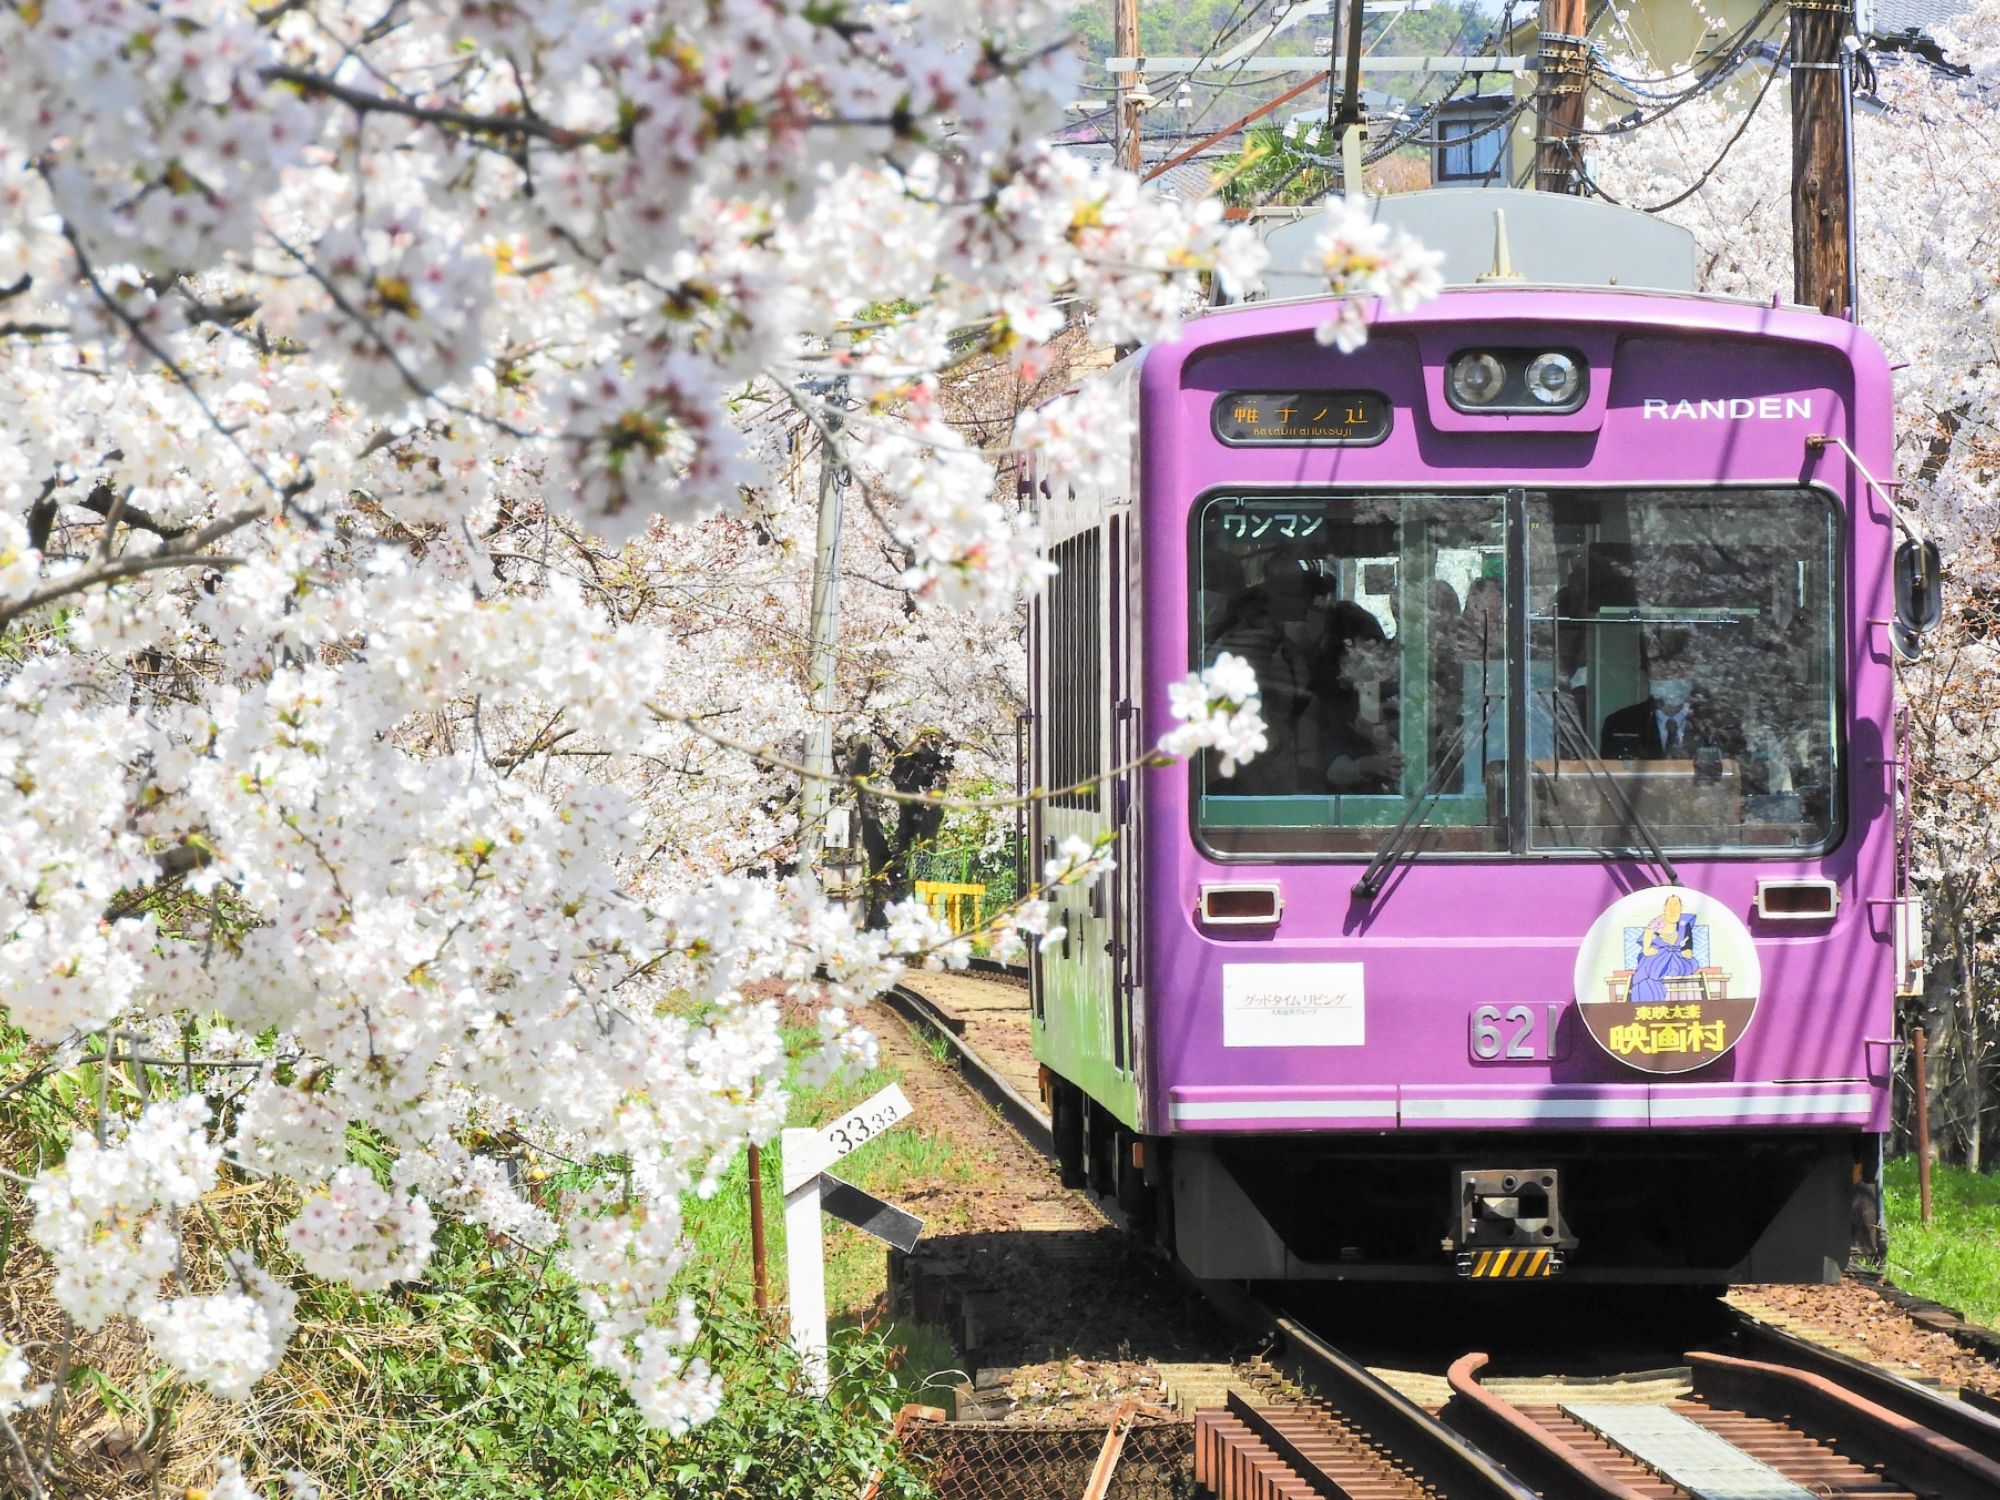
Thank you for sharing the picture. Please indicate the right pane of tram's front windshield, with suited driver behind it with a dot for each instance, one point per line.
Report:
(1683, 669)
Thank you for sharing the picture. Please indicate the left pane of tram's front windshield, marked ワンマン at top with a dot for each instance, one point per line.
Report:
(1373, 625)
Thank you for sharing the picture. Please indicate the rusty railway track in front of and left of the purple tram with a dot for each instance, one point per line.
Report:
(1753, 1415)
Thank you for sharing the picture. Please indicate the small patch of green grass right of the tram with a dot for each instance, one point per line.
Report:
(1957, 1257)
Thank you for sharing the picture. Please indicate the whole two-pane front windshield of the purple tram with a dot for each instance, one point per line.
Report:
(1673, 671)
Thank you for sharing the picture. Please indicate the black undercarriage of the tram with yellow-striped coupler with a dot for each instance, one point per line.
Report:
(1671, 1207)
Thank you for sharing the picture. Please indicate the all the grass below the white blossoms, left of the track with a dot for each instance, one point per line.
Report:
(475, 1383)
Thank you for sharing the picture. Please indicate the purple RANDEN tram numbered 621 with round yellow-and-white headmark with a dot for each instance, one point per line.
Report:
(1559, 929)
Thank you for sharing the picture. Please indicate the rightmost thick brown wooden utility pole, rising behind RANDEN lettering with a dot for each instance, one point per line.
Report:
(1823, 257)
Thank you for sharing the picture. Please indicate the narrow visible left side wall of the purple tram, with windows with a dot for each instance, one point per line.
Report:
(1083, 1023)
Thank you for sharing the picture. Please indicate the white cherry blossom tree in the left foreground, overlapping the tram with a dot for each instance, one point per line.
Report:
(407, 409)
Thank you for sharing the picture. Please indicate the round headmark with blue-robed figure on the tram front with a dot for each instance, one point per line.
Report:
(1667, 979)
